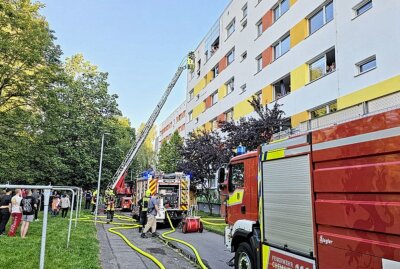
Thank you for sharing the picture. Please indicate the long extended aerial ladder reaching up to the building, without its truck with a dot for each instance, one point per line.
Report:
(187, 63)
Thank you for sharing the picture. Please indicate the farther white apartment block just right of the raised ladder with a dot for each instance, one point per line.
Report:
(174, 122)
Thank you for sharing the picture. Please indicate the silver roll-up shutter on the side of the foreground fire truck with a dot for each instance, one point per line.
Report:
(287, 201)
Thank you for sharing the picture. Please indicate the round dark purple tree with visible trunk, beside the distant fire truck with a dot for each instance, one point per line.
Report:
(203, 153)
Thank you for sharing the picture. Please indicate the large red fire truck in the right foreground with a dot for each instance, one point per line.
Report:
(326, 198)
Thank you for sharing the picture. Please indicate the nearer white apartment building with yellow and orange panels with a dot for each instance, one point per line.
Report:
(312, 56)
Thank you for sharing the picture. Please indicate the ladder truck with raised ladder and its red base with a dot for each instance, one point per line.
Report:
(118, 180)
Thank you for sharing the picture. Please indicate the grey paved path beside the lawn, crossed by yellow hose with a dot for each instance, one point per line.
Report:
(115, 253)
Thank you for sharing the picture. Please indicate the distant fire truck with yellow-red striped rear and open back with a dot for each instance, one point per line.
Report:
(173, 190)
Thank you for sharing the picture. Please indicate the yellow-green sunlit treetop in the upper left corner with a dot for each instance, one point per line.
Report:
(29, 59)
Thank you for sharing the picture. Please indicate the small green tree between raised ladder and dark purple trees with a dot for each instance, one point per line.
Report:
(170, 154)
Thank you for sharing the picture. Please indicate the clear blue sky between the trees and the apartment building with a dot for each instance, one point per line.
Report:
(139, 43)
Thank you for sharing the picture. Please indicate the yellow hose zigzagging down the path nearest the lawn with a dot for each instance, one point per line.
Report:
(129, 243)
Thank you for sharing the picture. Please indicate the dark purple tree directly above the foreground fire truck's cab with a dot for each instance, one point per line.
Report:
(252, 132)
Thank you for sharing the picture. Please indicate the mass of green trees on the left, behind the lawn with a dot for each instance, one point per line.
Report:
(53, 114)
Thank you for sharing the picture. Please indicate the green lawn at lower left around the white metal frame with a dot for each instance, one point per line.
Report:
(83, 251)
